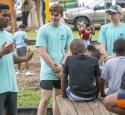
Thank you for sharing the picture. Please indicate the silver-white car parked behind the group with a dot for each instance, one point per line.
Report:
(92, 13)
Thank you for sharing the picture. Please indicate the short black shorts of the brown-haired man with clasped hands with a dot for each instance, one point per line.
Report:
(50, 84)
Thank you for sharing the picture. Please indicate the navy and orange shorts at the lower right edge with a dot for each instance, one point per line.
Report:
(121, 100)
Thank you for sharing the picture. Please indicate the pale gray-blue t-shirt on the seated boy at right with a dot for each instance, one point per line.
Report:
(112, 72)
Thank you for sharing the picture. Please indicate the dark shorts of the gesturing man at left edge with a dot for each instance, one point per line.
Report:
(8, 103)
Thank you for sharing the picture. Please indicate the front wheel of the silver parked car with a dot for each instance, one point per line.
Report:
(80, 21)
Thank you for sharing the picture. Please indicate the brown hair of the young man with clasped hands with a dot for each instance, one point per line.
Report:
(57, 8)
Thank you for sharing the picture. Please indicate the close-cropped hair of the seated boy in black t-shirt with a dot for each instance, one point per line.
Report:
(77, 47)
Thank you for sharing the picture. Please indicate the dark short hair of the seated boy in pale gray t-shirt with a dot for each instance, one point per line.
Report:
(119, 46)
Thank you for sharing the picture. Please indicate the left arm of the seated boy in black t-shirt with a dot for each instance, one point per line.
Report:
(64, 83)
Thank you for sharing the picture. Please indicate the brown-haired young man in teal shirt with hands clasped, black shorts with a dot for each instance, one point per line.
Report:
(53, 40)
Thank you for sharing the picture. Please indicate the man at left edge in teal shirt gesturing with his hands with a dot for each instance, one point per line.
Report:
(8, 85)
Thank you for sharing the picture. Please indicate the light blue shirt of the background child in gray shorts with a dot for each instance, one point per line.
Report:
(19, 38)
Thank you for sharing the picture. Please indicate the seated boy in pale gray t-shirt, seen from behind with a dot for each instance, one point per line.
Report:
(114, 68)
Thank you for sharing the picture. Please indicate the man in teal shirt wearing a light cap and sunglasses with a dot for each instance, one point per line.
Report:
(112, 31)
